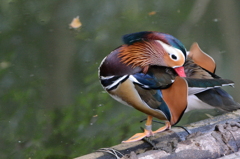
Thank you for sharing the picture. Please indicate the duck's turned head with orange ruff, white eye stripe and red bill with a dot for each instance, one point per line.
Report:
(144, 49)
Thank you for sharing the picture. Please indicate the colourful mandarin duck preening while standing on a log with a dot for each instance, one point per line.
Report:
(153, 73)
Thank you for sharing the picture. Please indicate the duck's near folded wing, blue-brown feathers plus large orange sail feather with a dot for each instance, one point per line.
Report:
(163, 91)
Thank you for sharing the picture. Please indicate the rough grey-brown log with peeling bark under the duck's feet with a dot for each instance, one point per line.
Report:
(211, 138)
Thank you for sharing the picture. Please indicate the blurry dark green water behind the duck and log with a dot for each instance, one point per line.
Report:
(51, 102)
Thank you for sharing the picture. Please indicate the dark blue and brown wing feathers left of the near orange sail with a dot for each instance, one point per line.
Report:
(150, 85)
